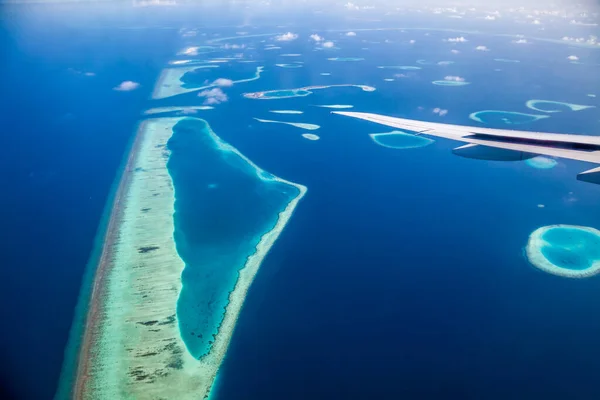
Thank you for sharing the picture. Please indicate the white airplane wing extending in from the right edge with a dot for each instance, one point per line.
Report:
(501, 144)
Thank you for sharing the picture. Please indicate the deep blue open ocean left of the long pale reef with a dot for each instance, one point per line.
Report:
(64, 137)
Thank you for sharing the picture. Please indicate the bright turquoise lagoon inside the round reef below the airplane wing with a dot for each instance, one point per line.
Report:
(571, 247)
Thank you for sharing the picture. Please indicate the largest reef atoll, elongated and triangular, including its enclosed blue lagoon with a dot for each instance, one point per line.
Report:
(191, 222)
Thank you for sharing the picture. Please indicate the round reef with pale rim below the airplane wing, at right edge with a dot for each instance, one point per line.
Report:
(565, 250)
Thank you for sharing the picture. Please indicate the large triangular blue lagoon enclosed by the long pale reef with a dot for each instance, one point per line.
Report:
(221, 213)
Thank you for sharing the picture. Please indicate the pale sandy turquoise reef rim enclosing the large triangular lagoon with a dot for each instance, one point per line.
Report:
(132, 346)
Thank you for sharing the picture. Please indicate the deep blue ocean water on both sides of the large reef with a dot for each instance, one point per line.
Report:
(400, 273)
